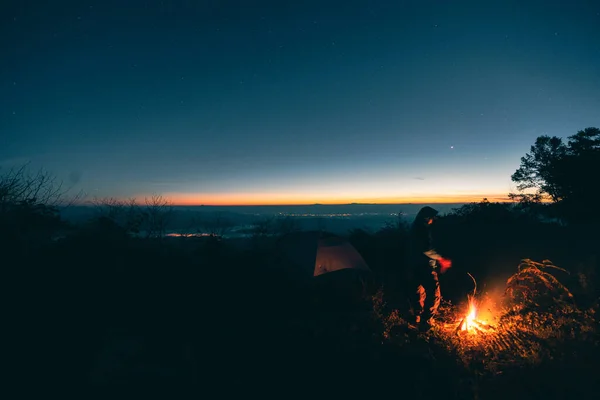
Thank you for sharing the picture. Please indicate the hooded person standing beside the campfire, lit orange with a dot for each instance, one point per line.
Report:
(424, 261)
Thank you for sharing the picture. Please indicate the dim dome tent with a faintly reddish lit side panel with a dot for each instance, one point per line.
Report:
(312, 254)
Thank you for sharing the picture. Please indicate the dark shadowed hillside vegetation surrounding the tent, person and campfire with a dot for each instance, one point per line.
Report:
(98, 311)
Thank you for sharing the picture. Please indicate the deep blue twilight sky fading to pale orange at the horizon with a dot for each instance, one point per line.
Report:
(223, 102)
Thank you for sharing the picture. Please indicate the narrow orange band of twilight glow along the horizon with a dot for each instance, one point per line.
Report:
(275, 199)
